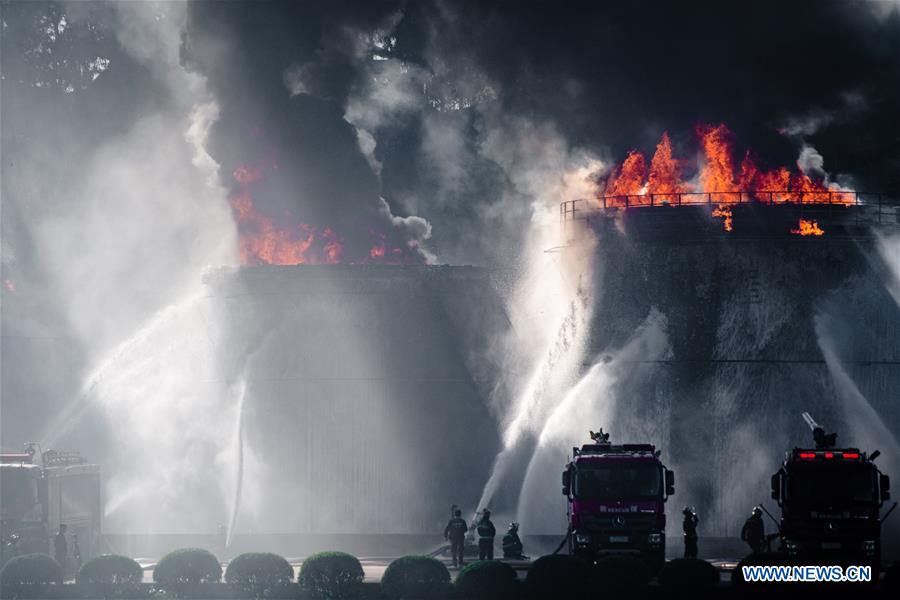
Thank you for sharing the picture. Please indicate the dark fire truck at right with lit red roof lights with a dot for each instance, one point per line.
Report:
(830, 500)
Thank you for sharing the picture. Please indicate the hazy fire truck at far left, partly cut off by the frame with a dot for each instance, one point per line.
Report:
(41, 490)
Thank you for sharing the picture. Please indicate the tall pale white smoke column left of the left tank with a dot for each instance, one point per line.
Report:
(126, 226)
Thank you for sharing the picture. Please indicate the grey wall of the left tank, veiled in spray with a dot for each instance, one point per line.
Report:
(366, 401)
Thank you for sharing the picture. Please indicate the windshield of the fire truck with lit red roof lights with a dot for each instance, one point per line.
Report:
(833, 485)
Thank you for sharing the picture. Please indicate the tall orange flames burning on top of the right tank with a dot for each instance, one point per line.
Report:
(719, 180)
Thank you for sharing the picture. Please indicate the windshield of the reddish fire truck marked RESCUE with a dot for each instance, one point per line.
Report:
(597, 482)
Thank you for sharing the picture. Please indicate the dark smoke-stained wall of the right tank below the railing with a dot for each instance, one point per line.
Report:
(762, 324)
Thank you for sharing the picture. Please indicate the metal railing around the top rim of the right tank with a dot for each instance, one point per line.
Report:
(856, 208)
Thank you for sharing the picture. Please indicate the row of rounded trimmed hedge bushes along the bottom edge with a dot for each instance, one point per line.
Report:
(337, 575)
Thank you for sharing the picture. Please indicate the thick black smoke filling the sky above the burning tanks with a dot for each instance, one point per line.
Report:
(607, 76)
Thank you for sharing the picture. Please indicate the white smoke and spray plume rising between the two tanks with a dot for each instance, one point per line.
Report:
(550, 306)
